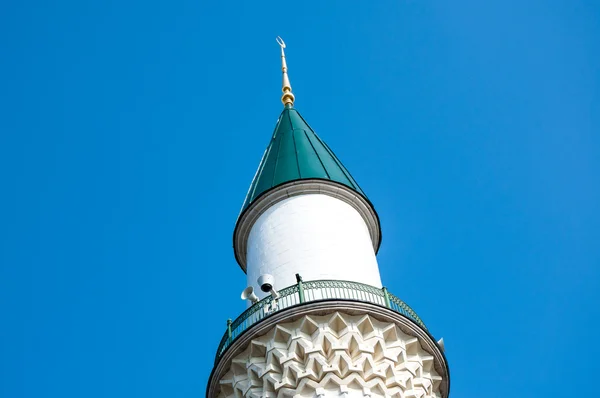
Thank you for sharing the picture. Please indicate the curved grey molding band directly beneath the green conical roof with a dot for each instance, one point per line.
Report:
(302, 187)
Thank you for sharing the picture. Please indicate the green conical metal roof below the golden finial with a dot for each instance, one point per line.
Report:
(296, 153)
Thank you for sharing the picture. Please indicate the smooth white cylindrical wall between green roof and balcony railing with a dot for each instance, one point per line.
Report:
(316, 236)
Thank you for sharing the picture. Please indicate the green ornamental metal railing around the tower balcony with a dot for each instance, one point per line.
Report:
(310, 291)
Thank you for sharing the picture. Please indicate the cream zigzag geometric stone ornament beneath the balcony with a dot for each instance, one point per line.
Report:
(333, 355)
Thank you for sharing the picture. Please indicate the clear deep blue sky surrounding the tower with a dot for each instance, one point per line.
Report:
(130, 131)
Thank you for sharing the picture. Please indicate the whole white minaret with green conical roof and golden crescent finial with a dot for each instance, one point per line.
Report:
(319, 322)
